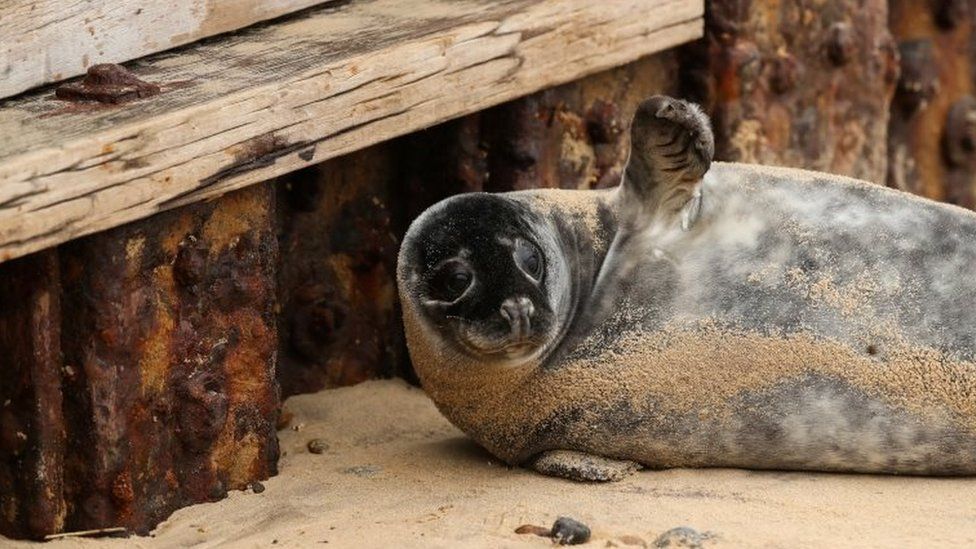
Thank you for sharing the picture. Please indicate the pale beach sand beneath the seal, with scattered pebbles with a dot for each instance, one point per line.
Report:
(396, 474)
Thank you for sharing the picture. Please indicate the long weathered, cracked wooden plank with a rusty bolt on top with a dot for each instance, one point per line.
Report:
(273, 99)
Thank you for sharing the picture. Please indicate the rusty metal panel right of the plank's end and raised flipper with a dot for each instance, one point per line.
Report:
(803, 83)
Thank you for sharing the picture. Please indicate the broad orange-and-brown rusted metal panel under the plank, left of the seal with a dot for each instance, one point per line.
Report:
(169, 348)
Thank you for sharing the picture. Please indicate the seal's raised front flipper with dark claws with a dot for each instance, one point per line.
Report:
(671, 149)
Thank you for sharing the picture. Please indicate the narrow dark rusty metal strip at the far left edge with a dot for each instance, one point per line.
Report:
(32, 438)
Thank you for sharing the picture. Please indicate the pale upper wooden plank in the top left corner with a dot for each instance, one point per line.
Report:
(43, 41)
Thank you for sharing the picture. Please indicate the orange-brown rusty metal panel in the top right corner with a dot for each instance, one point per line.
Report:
(932, 135)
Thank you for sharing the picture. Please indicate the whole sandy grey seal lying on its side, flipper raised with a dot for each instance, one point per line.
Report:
(699, 315)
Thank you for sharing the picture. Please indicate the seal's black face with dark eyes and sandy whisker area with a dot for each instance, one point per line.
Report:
(485, 275)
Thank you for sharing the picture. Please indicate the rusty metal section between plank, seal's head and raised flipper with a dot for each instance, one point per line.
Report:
(571, 136)
